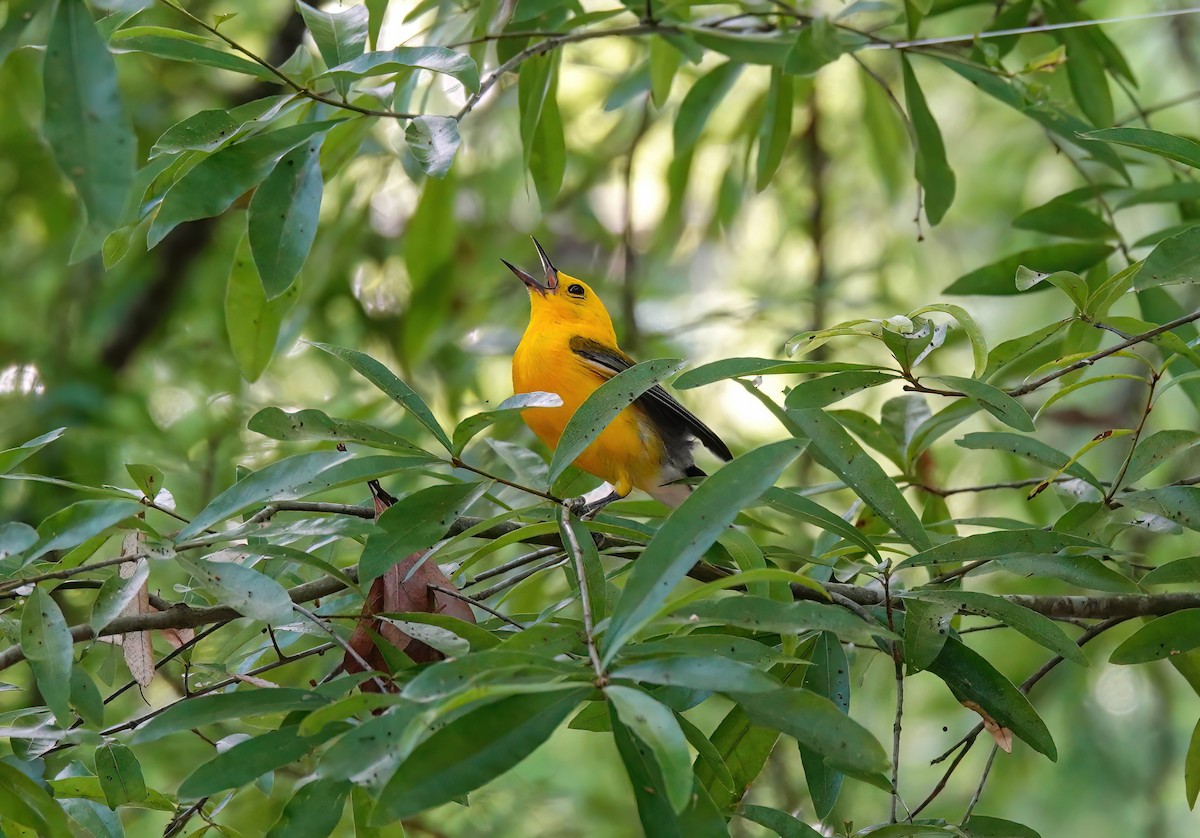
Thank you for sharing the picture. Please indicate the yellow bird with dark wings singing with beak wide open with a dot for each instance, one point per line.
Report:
(571, 349)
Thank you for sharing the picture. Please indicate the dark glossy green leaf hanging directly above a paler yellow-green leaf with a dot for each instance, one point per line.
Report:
(283, 219)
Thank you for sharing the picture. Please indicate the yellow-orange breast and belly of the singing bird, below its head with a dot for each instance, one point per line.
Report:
(627, 453)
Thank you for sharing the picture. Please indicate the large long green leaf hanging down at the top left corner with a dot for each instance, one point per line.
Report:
(87, 125)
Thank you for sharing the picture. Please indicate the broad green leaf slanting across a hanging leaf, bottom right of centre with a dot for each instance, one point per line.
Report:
(818, 725)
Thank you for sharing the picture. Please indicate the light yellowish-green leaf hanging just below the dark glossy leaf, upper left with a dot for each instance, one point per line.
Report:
(253, 321)
